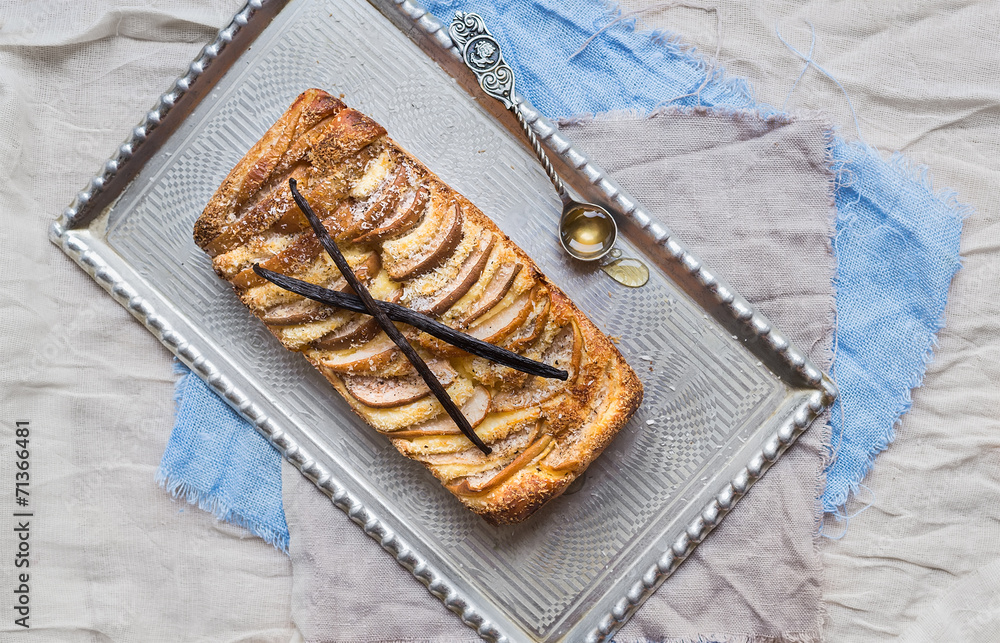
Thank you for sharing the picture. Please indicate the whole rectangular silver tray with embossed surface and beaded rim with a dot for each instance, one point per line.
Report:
(725, 394)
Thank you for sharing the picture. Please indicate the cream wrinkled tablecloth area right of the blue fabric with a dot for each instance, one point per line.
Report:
(922, 562)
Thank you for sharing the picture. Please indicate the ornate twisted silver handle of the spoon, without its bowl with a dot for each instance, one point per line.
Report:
(481, 53)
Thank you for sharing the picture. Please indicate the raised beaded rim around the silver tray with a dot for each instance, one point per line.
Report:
(723, 502)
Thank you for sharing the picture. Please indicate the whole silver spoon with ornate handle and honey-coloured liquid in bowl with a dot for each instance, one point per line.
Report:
(586, 230)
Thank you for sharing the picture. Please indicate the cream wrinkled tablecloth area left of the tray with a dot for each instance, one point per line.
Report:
(112, 557)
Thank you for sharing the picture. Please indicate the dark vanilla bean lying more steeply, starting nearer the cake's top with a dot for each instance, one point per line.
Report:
(385, 323)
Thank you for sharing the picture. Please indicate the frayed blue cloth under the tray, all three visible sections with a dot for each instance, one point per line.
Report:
(896, 249)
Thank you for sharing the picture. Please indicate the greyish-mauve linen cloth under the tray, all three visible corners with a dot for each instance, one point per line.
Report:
(702, 173)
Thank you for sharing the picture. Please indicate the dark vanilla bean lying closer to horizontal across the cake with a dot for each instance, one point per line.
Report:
(431, 326)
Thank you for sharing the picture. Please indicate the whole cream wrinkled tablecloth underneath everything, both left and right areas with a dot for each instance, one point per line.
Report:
(114, 559)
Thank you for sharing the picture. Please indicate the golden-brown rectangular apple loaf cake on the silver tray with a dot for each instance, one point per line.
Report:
(413, 240)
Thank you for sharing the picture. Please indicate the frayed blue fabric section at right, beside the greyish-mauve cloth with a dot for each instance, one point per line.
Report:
(897, 250)
